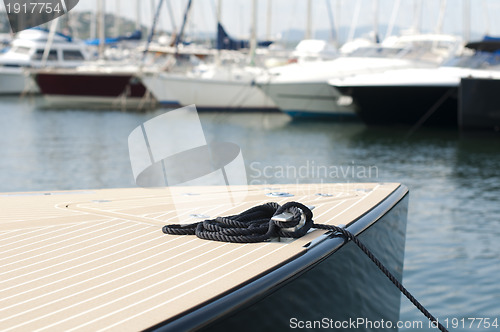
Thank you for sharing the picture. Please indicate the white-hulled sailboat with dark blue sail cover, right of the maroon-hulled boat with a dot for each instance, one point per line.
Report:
(216, 86)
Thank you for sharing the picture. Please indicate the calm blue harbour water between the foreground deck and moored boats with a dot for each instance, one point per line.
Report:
(452, 259)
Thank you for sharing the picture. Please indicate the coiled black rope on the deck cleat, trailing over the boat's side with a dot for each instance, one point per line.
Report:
(262, 223)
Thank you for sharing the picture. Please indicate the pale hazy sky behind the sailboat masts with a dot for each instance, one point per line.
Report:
(291, 14)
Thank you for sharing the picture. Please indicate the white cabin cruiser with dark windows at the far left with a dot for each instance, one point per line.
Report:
(27, 51)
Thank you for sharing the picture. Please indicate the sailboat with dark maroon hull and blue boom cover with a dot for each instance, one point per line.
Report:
(98, 84)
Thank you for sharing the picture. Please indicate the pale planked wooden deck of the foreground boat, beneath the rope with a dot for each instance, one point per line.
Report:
(98, 260)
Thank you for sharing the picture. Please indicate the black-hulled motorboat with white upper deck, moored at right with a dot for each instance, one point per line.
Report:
(416, 95)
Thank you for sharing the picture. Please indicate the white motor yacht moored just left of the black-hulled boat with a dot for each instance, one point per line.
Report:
(302, 89)
